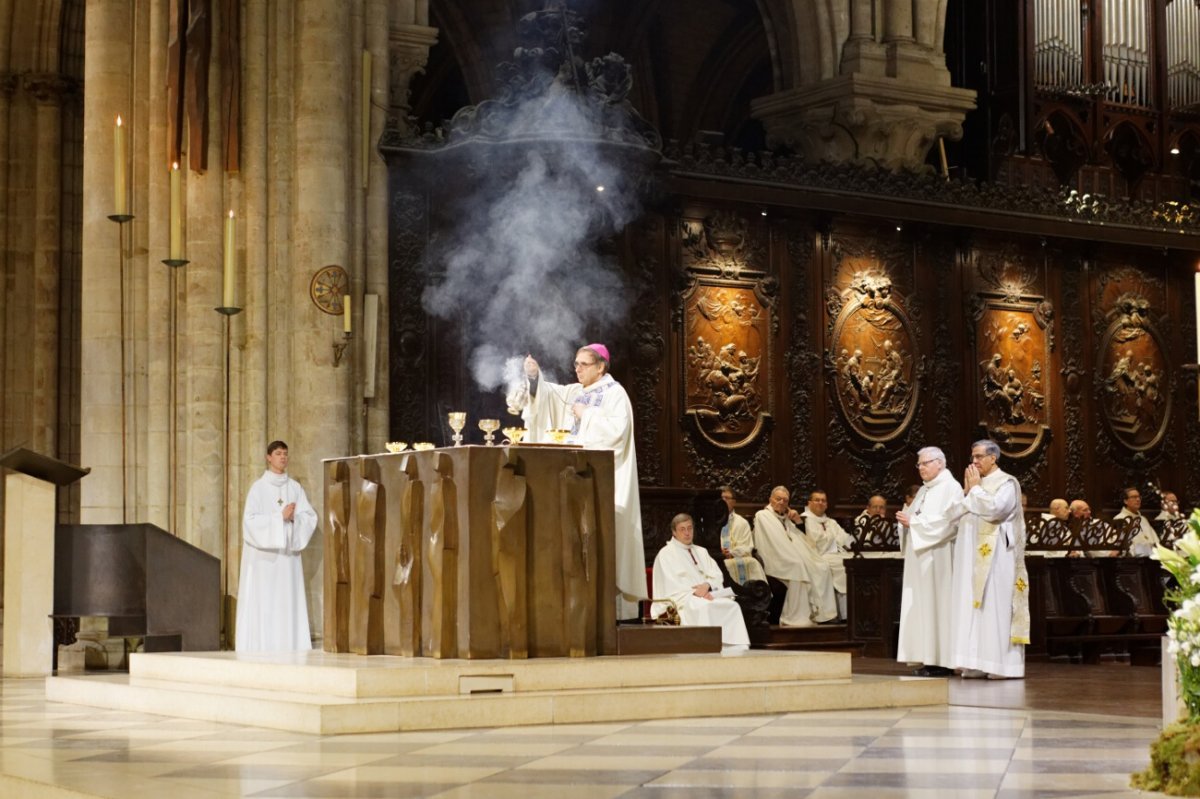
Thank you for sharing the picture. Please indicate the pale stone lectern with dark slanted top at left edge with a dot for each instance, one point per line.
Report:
(29, 522)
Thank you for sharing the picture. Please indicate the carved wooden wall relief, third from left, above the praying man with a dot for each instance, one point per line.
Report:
(1013, 344)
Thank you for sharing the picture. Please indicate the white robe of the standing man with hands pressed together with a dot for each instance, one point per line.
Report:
(982, 636)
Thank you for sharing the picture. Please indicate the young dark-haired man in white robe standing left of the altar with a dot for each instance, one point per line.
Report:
(277, 526)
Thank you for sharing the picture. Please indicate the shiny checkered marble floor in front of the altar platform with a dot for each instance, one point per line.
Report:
(995, 740)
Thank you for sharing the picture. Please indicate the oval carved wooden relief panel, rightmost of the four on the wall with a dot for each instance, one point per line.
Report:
(1133, 373)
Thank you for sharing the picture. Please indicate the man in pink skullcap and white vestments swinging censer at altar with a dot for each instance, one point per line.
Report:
(599, 416)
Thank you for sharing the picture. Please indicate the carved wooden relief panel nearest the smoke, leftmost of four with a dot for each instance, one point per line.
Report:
(728, 307)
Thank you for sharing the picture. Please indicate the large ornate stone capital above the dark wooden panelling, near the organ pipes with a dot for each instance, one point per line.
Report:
(866, 119)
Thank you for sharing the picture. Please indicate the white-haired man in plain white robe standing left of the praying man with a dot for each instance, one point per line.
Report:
(928, 526)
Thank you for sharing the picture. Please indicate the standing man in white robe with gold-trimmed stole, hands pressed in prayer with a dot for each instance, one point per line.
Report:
(992, 611)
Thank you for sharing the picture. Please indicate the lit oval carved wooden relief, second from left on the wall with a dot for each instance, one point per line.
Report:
(873, 359)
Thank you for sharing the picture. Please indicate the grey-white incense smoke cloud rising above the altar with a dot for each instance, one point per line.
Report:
(523, 268)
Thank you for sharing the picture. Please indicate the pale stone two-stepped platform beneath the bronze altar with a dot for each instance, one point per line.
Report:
(327, 694)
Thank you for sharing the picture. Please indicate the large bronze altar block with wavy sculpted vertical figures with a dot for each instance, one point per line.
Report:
(471, 552)
